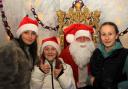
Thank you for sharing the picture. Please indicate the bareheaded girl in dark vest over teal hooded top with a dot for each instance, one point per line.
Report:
(107, 61)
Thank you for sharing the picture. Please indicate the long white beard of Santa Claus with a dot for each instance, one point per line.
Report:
(81, 55)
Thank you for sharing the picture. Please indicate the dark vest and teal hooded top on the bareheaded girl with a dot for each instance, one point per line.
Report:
(104, 68)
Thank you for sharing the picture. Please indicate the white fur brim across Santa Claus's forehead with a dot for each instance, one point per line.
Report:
(82, 33)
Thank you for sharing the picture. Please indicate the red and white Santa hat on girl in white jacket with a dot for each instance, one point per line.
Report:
(52, 41)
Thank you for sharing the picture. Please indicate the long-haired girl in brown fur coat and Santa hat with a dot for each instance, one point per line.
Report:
(18, 57)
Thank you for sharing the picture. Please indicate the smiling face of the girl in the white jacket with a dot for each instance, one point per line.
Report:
(50, 53)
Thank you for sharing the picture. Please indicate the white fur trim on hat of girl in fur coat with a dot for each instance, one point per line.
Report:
(26, 27)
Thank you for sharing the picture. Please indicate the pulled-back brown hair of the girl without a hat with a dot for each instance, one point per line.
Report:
(113, 25)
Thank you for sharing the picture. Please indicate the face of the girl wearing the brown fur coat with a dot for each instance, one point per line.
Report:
(28, 37)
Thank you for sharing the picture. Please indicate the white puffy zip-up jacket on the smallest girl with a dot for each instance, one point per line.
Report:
(40, 80)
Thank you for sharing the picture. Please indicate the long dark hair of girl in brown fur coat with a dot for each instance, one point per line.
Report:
(32, 49)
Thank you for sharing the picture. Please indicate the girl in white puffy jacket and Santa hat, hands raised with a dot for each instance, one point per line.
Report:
(52, 72)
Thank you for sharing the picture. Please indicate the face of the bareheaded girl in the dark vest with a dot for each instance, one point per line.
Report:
(108, 36)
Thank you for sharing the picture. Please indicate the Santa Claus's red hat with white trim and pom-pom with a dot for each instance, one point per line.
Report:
(76, 30)
